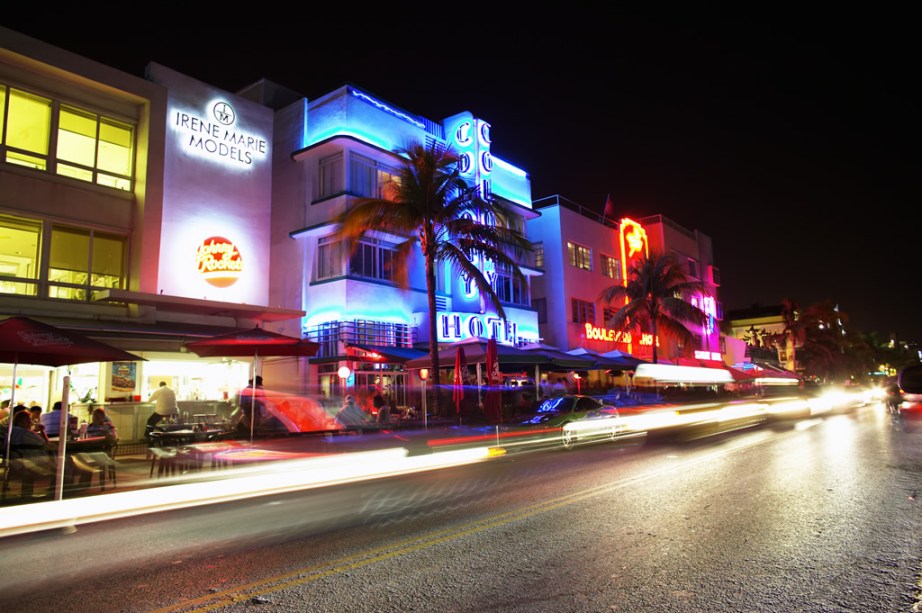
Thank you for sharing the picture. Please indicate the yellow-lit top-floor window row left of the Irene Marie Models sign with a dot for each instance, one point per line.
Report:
(45, 134)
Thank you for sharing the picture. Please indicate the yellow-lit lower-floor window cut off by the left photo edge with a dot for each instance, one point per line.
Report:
(19, 255)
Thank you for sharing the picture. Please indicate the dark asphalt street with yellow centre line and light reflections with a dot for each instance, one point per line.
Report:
(820, 514)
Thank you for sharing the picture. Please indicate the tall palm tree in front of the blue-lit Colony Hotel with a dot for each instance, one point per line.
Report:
(432, 206)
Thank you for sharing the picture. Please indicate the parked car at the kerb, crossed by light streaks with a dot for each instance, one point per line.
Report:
(575, 418)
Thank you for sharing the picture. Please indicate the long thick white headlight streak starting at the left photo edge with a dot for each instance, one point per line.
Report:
(246, 482)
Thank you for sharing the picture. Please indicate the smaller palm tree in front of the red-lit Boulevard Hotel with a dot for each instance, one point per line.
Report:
(654, 294)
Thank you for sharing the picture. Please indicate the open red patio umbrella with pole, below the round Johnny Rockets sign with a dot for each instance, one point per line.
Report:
(254, 342)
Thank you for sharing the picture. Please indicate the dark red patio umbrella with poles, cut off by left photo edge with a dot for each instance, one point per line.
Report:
(27, 341)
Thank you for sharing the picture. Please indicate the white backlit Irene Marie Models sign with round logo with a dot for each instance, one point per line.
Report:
(216, 137)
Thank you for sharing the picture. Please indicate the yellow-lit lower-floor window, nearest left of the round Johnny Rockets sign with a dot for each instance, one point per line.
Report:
(82, 260)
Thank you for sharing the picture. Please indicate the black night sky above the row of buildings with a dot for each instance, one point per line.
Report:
(785, 136)
